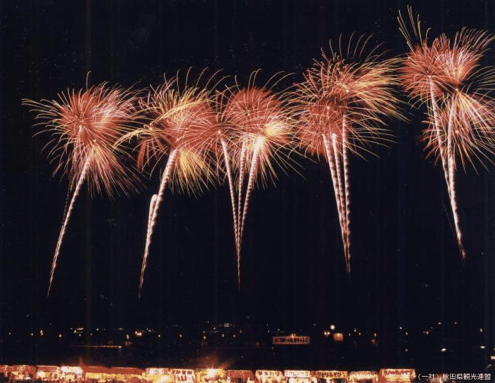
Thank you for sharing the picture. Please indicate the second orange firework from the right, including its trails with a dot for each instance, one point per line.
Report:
(341, 106)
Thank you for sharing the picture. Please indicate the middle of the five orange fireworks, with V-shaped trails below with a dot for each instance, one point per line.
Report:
(258, 129)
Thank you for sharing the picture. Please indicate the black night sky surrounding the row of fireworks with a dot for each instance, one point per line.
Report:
(406, 266)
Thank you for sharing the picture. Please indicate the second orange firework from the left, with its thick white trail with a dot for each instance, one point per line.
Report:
(183, 127)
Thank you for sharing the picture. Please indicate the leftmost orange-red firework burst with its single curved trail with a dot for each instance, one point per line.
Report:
(85, 127)
